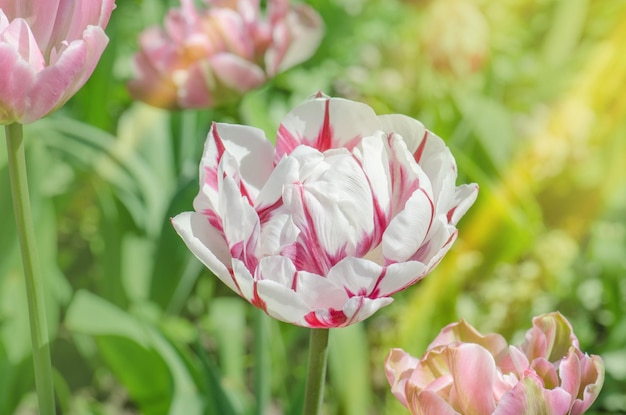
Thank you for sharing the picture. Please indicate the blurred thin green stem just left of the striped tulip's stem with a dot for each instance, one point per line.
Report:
(262, 373)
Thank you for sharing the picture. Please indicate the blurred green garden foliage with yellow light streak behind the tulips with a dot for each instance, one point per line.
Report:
(529, 95)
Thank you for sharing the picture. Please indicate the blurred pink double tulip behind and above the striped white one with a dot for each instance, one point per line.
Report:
(206, 57)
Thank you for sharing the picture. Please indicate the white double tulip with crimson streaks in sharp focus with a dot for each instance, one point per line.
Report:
(348, 209)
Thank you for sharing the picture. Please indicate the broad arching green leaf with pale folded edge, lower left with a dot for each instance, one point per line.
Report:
(137, 352)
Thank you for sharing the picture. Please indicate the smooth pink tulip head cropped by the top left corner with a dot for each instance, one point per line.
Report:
(48, 50)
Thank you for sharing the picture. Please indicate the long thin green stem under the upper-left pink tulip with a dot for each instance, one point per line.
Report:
(32, 275)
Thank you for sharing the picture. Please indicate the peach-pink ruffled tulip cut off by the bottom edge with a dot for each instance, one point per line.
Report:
(464, 372)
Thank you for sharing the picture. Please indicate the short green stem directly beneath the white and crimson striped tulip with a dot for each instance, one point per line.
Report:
(316, 371)
